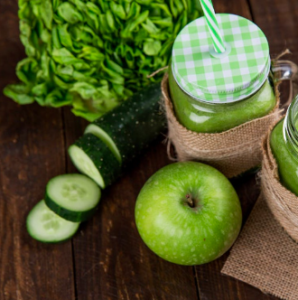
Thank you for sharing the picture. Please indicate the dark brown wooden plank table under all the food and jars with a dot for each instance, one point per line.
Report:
(106, 259)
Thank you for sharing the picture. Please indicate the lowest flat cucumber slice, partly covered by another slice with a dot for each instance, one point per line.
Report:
(45, 226)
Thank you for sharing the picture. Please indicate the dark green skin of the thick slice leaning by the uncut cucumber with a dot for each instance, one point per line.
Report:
(102, 157)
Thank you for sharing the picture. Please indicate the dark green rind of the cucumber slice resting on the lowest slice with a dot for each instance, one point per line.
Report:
(69, 215)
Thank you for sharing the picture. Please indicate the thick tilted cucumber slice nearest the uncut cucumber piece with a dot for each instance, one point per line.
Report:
(92, 157)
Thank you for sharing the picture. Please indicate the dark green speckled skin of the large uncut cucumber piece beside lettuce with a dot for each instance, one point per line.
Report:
(136, 123)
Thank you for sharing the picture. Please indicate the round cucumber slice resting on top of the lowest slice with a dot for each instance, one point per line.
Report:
(73, 197)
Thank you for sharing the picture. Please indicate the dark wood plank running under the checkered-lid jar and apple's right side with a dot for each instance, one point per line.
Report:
(211, 283)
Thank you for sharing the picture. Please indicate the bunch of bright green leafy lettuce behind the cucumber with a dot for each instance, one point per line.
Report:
(94, 54)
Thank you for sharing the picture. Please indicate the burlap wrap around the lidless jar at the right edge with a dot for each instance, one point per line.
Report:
(282, 202)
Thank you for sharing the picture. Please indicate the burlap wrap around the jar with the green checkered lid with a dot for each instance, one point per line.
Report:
(232, 152)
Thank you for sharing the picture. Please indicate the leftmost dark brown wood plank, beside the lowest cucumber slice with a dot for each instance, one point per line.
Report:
(31, 152)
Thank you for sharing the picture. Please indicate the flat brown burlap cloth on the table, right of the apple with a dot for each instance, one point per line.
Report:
(265, 256)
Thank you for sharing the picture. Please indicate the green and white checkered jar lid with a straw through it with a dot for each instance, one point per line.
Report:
(221, 78)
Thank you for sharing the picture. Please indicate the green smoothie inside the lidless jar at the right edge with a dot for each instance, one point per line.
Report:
(285, 158)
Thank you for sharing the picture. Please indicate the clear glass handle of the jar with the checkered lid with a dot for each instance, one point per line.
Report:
(286, 70)
